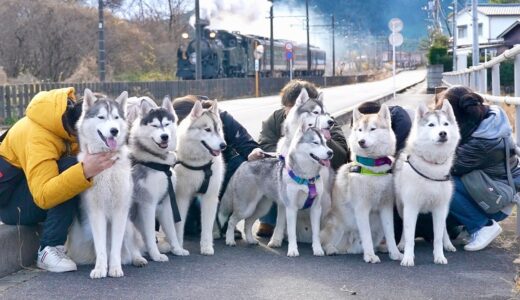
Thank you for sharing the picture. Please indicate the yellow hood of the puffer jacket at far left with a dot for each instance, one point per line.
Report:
(47, 109)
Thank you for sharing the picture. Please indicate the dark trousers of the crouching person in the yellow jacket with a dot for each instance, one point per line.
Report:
(20, 209)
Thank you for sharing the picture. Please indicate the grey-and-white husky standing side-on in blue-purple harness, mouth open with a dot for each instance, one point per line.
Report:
(292, 182)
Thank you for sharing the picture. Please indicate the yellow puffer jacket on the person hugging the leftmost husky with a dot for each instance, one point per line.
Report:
(35, 144)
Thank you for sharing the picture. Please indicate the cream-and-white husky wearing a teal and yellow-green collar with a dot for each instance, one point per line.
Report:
(363, 196)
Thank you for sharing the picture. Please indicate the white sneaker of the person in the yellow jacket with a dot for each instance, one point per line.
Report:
(54, 259)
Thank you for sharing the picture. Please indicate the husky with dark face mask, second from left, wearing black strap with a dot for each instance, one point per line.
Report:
(153, 138)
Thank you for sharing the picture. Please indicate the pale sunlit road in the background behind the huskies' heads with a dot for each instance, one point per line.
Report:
(251, 111)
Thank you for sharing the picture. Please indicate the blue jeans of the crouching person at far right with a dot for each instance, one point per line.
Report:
(465, 211)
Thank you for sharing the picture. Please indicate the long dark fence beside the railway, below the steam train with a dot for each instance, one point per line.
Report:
(14, 98)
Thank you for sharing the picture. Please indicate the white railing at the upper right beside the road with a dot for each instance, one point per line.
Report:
(476, 78)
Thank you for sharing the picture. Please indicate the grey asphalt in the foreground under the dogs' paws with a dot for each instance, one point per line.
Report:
(257, 272)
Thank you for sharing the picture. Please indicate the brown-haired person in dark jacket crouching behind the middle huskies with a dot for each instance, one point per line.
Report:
(272, 131)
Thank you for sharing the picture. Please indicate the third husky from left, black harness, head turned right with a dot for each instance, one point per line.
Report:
(200, 169)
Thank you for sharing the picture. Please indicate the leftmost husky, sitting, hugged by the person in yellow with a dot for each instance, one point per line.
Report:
(102, 127)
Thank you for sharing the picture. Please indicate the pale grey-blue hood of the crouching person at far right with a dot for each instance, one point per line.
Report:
(495, 125)
